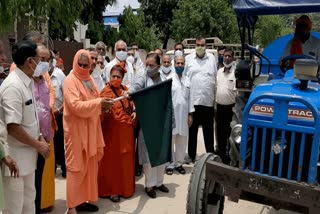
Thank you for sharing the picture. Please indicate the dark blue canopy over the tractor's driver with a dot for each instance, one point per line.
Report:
(269, 7)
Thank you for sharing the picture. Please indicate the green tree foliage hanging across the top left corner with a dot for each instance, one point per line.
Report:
(61, 15)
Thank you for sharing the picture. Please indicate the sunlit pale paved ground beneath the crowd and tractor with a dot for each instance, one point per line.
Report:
(170, 203)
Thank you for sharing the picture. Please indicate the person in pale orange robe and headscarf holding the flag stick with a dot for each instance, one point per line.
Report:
(83, 136)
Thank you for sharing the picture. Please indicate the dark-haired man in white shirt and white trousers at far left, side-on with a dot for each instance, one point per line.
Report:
(24, 138)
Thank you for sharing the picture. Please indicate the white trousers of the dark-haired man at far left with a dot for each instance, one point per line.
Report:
(19, 194)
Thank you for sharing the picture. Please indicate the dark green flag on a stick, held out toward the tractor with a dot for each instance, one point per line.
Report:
(154, 111)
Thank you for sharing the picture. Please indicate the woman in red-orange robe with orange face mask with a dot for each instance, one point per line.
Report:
(116, 169)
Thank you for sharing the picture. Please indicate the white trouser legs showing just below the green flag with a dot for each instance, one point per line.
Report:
(154, 175)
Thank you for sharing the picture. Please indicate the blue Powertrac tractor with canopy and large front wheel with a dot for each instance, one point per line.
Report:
(275, 137)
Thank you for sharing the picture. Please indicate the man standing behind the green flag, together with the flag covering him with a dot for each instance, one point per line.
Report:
(154, 111)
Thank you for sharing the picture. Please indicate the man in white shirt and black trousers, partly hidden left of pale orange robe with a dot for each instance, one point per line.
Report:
(57, 78)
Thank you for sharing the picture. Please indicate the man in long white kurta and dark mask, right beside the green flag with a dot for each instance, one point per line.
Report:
(183, 115)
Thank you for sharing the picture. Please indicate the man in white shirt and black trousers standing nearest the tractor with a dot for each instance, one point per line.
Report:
(225, 99)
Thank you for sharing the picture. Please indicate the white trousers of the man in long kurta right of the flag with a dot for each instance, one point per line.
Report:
(179, 146)
